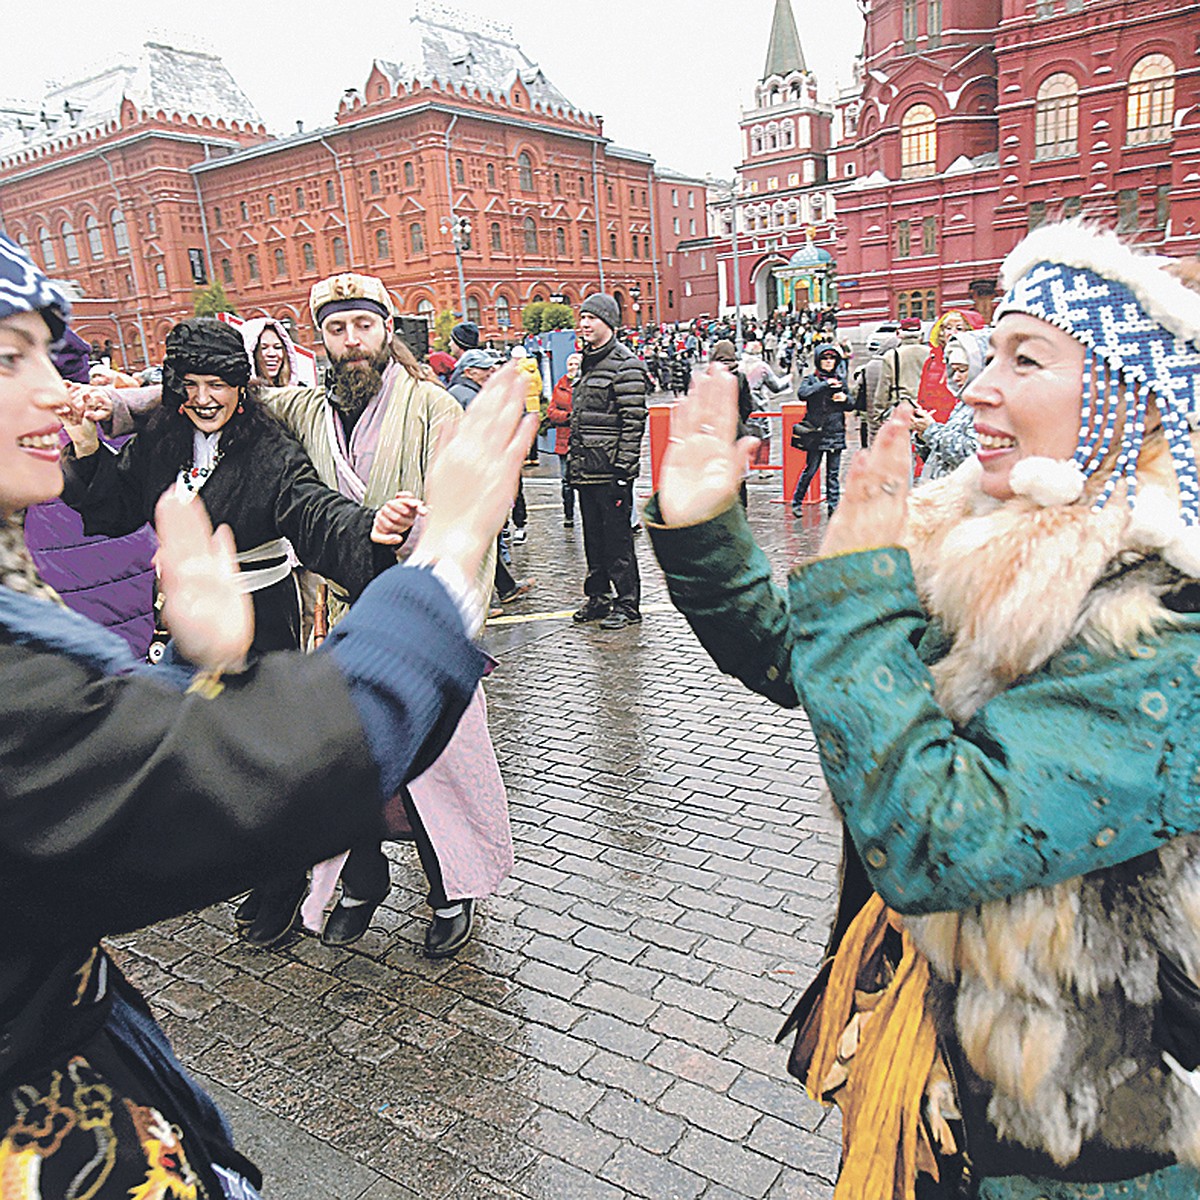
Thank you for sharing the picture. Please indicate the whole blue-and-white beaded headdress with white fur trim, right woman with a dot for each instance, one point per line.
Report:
(1141, 331)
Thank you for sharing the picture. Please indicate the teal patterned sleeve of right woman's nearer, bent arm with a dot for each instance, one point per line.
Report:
(1087, 764)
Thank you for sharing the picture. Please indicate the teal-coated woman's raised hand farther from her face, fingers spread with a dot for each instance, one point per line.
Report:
(705, 463)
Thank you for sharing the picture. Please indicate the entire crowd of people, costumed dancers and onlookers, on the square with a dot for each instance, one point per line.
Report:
(997, 649)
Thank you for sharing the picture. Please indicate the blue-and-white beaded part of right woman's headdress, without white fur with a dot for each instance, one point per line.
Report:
(1125, 346)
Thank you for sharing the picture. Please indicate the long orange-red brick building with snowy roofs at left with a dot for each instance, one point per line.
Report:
(163, 178)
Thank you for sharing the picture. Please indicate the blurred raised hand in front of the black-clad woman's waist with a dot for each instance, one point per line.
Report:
(207, 611)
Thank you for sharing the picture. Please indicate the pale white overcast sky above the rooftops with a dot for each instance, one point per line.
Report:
(669, 77)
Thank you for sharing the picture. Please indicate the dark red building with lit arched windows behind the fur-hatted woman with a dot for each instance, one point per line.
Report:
(981, 119)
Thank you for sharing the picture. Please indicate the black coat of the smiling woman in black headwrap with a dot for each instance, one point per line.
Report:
(265, 489)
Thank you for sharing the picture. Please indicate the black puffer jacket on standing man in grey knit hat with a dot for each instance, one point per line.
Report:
(608, 417)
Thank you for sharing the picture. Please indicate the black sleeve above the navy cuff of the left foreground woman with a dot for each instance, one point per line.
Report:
(124, 801)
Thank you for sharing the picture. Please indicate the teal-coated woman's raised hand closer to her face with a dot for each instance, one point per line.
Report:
(875, 493)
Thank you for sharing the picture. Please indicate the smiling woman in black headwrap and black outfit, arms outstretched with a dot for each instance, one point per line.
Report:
(212, 437)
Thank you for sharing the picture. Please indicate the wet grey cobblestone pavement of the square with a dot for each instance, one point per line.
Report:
(610, 1030)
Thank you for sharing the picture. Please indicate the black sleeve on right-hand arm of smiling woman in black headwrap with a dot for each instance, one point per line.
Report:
(331, 535)
